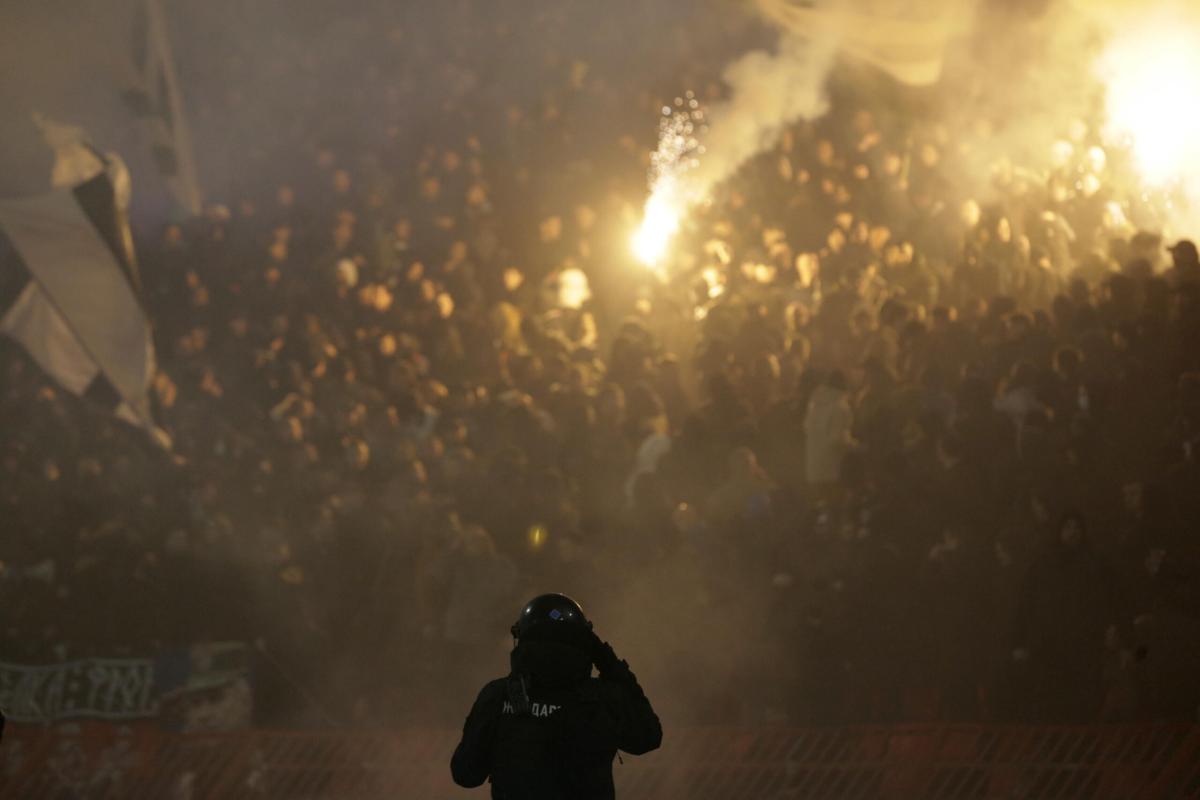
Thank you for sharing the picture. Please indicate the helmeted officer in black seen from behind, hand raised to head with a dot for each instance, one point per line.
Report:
(550, 731)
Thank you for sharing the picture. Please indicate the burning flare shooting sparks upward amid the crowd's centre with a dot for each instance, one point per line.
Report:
(679, 153)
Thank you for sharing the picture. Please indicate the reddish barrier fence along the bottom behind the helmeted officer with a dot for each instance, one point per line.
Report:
(103, 761)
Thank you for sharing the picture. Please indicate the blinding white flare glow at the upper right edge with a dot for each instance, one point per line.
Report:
(1153, 74)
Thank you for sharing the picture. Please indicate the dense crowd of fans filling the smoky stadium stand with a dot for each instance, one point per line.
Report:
(868, 449)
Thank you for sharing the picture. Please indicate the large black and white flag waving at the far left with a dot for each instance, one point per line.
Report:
(69, 293)
